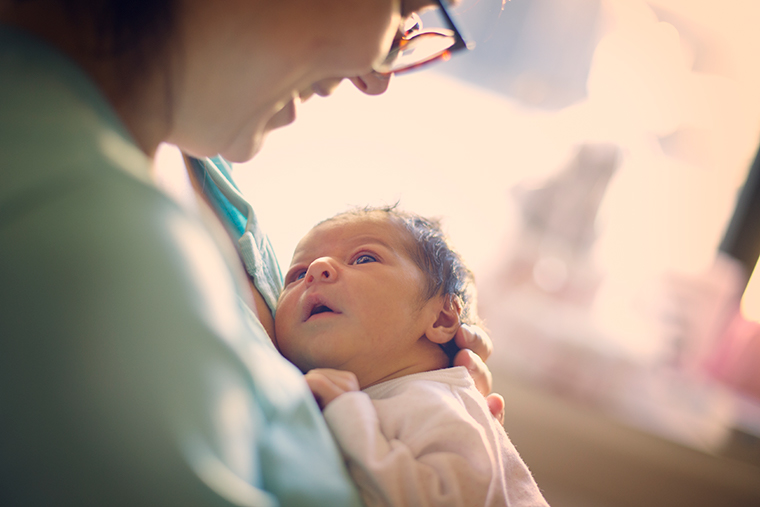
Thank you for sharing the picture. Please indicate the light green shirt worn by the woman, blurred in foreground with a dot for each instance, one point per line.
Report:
(130, 374)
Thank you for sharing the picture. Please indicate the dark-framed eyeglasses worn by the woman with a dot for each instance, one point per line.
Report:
(415, 46)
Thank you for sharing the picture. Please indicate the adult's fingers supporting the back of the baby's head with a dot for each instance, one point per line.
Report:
(476, 346)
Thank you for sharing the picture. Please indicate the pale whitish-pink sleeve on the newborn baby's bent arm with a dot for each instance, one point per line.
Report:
(434, 453)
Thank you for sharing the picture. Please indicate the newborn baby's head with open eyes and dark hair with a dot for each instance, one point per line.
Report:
(375, 291)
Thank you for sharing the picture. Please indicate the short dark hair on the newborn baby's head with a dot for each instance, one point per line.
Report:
(430, 249)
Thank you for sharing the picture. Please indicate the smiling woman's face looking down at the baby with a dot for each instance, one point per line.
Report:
(243, 64)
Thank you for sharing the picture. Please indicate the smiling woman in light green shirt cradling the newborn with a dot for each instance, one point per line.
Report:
(135, 367)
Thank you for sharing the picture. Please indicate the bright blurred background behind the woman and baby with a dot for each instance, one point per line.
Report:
(587, 158)
